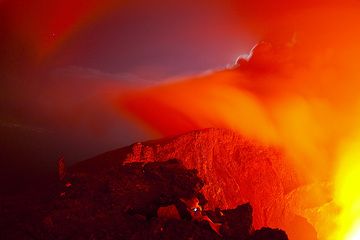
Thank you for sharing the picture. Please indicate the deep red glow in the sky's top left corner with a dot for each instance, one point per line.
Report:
(45, 24)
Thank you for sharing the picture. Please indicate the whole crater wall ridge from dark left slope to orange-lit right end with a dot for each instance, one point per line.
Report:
(236, 170)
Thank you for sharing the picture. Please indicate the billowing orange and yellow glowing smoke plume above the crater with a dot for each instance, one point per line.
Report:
(299, 89)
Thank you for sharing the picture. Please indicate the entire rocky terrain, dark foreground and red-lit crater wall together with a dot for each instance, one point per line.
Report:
(115, 195)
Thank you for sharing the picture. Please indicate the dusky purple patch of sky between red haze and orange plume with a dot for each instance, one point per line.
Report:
(163, 40)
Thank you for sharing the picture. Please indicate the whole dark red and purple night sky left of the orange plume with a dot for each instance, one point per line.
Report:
(58, 58)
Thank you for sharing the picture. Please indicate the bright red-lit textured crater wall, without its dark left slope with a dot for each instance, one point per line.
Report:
(236, 170)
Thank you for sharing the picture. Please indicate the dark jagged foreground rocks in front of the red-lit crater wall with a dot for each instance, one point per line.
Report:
(122, 202)
